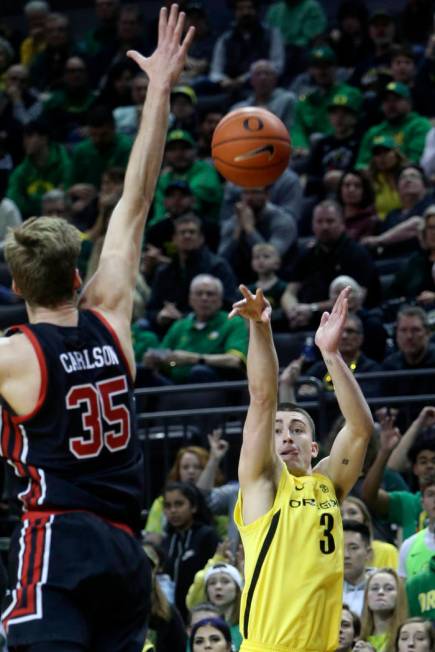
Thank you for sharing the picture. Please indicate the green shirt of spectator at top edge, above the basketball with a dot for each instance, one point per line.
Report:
(298, 23)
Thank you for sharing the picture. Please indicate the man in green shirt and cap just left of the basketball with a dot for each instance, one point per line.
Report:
(181, 163)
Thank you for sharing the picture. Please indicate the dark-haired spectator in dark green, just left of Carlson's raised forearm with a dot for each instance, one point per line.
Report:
(103, 149)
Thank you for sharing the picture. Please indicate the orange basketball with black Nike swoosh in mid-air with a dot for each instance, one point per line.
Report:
(251, 147)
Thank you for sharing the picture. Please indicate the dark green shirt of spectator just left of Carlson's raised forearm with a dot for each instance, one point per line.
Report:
(89, 163)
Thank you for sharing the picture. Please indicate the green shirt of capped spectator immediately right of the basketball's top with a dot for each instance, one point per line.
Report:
(312, 116)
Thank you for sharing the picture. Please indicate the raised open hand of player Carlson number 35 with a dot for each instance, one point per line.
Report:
(168, 60)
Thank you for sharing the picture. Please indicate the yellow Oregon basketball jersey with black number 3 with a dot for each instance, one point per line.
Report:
(293, 590)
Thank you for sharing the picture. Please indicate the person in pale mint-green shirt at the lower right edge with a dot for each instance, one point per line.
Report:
(417, 551)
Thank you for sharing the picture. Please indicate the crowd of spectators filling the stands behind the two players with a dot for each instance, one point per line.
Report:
(355, 207)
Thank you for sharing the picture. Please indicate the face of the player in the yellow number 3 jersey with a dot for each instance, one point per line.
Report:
(294, 442)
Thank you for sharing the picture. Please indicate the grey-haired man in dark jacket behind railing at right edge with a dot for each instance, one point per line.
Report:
(414, 352)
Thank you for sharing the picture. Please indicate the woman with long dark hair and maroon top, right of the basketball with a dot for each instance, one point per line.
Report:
(355, 194)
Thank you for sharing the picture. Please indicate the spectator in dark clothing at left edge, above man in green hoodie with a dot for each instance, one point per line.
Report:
(19, 101)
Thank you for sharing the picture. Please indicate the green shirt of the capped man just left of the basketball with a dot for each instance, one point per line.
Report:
(205, 185)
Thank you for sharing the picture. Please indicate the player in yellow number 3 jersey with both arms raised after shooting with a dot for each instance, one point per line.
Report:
(288, 512)
